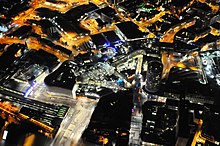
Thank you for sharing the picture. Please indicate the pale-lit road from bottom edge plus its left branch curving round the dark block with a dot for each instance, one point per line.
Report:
(77, 118)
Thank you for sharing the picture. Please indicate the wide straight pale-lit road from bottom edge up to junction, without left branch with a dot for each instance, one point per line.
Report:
(75, 123)
